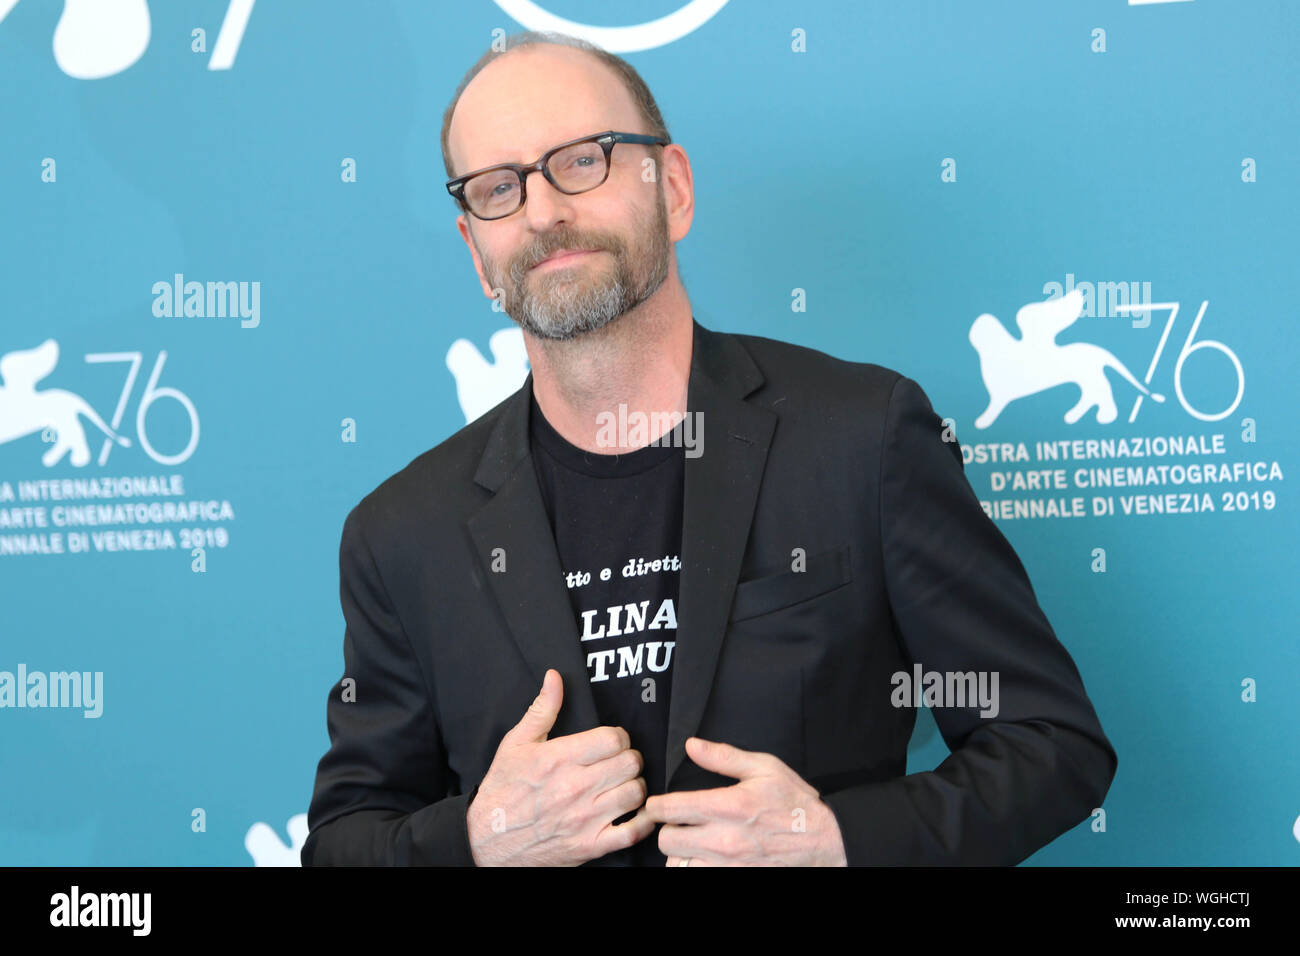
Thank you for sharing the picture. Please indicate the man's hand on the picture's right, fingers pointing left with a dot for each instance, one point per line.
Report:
(772, 819)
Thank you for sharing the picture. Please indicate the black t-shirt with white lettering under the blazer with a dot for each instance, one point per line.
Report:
(619, 517)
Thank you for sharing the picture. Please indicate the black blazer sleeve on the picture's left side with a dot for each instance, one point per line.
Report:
(382, 795)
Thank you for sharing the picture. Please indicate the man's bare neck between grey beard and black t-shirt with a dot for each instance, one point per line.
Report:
(640, 361)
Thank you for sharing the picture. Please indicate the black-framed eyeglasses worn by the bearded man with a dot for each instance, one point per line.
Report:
(574, 167)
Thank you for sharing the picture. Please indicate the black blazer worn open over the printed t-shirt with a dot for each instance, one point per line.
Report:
(843, 460)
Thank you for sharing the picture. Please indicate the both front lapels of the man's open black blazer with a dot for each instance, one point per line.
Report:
(720, 498)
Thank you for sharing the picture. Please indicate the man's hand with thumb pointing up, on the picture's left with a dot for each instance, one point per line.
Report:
(552, 803)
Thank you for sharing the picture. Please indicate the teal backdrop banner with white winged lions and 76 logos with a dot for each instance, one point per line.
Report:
(236, 301)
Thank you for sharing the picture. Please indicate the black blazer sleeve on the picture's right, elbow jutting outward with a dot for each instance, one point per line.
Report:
(963, 602)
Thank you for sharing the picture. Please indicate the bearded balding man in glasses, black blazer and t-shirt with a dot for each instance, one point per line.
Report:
(575, 638)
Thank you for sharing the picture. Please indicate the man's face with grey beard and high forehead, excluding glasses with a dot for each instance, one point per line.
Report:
(541, 96)
